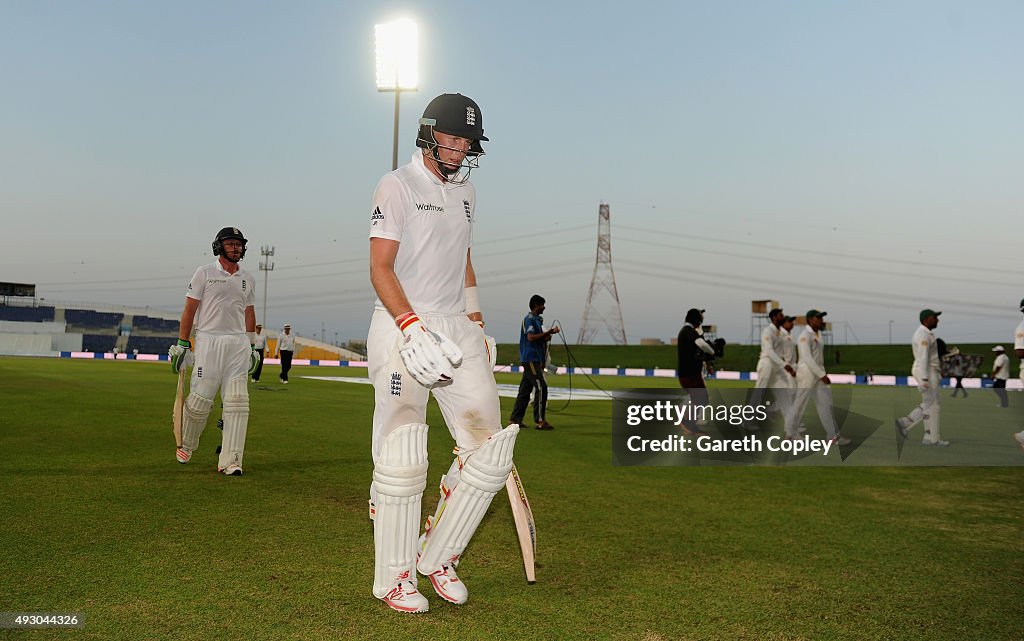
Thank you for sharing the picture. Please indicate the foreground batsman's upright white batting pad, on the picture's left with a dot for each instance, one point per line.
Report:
(400, 479)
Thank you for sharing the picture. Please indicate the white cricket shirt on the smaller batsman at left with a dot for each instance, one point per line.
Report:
(224, 298)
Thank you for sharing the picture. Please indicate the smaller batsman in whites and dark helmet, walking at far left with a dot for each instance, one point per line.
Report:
(221, 306)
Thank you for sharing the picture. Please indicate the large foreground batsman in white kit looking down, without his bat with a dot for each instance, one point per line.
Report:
(428, 336)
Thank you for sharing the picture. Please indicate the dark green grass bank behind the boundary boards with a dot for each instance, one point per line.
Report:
(893, 360)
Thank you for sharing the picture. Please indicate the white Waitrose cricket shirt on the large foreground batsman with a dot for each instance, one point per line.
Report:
(434, 224)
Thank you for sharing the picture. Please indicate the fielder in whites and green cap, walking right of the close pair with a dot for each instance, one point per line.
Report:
(927, 371)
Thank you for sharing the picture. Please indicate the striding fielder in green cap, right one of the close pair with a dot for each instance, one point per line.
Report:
(814, 380)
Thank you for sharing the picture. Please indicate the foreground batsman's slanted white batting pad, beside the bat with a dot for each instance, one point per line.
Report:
(458, 517)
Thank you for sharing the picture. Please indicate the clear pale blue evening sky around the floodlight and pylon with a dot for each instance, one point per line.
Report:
(867, 159)
